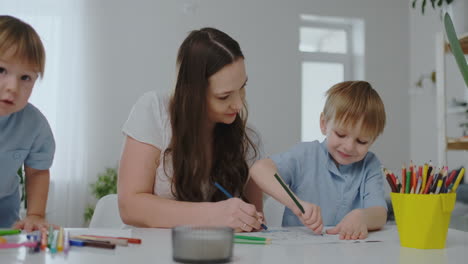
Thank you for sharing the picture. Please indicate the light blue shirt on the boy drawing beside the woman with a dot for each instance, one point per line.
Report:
(314, 177)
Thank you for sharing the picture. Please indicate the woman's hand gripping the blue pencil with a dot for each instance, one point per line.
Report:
(237, 214)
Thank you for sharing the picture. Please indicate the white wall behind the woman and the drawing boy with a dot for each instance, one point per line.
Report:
(132, 48)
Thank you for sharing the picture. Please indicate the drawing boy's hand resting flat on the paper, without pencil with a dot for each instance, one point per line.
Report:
(352, 227)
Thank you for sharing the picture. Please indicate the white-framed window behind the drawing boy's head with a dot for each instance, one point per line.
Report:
(332, 51)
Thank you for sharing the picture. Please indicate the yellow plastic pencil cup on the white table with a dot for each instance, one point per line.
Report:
(423, 219)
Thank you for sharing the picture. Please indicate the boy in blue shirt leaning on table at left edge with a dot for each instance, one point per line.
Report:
(25, 135)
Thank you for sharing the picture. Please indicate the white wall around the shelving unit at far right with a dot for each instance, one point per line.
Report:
(423, 30)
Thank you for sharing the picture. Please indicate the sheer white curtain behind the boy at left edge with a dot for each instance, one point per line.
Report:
(60, 95)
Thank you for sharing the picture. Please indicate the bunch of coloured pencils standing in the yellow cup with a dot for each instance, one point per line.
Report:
(425, 179)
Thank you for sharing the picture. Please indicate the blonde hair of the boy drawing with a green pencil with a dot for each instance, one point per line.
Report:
(352, 101)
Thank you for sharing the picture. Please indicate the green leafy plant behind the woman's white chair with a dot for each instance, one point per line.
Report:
(104, 185)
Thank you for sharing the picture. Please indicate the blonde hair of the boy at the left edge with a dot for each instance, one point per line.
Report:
(20, 36)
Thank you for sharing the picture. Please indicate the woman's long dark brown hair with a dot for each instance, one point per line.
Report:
(203, 53)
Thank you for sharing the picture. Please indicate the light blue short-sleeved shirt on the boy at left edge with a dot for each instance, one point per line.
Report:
(25, 138)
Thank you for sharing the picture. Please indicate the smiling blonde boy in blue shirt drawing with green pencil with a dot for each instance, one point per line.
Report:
(336, 180)
